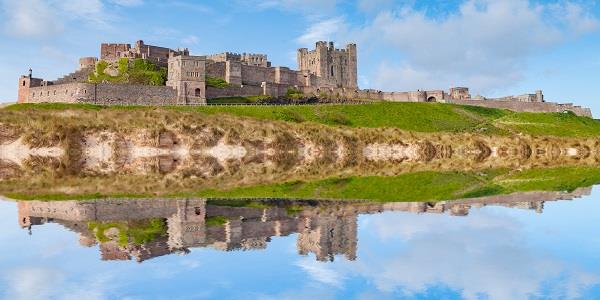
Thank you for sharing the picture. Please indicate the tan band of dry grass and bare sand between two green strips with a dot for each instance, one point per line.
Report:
(229, 152)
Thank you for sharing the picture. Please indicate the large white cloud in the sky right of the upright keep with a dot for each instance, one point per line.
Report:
(485, 44)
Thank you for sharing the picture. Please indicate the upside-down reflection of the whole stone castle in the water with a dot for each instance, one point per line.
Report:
(325, 228)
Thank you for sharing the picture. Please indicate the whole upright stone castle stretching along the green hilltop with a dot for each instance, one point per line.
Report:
(325, 73)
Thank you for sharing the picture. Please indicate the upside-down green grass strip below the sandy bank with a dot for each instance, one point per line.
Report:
(420, 186)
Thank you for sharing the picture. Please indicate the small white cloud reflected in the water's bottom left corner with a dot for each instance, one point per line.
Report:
(49, 283)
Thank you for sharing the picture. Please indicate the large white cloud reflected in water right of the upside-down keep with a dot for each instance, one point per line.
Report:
(484, 254)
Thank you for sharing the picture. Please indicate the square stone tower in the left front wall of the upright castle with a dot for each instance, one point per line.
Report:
(187, 74)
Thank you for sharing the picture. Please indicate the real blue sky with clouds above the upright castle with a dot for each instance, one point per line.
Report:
(495, 47)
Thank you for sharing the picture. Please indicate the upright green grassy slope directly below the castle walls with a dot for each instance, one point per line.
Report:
(420, 117)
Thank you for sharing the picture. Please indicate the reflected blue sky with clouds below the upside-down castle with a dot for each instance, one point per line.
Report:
(494, 253)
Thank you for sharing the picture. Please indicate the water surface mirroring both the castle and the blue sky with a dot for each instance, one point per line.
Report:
(498, 248)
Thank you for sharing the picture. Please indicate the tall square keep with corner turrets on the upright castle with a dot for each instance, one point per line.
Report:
(334, 67)
